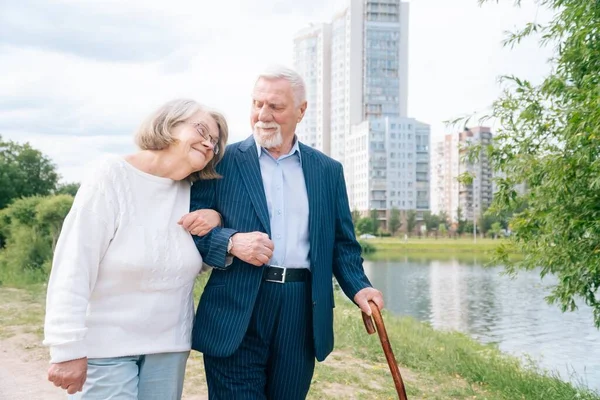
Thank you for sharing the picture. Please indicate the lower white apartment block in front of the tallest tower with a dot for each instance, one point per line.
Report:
(387, 166)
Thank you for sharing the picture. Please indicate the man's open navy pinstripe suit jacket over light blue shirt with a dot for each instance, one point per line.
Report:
(227, 304)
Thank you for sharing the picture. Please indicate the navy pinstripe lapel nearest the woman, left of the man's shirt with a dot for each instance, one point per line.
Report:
(249, 167)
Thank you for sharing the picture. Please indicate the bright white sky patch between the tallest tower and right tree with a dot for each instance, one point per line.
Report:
(456, 56)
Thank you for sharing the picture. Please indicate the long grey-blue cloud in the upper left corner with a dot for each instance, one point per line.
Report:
(87, 29)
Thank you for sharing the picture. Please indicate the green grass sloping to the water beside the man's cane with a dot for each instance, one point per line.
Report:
(485, 371)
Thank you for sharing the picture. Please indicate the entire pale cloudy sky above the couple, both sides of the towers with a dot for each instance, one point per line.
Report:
(78, 76)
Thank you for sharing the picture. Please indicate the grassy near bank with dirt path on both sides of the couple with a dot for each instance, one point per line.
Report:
(435, 365)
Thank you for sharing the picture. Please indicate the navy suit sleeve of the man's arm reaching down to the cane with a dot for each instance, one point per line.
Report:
(347, 259)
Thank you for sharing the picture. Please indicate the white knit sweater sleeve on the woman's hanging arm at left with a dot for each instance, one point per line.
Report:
(85, 236)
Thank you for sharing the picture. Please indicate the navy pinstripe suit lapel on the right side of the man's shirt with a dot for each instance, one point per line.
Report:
(311, 168)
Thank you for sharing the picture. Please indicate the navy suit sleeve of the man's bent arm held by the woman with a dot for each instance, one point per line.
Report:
(213, 245)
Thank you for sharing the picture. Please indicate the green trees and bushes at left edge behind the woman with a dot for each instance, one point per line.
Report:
(33, 205)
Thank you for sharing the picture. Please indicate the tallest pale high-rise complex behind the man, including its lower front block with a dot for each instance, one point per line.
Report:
(385, 154)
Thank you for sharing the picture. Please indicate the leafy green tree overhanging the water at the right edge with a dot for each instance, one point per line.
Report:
(549, 140)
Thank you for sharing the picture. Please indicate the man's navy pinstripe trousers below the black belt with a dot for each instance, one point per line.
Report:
(276, 358)
